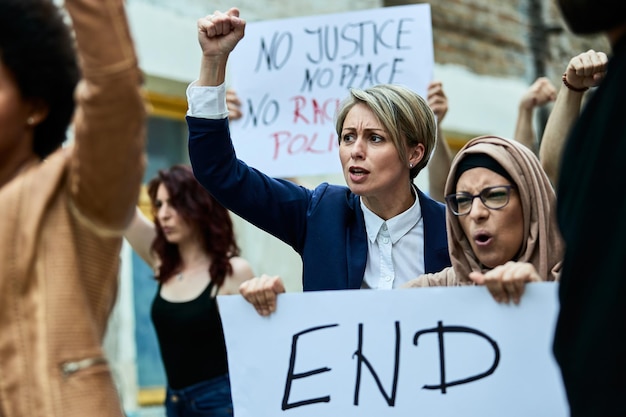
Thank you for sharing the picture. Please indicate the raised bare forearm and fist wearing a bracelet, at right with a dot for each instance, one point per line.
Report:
(583, 71)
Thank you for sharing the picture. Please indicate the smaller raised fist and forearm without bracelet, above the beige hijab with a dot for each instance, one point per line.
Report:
(540, 92)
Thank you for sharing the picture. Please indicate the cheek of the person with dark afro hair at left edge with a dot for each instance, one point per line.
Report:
(15, 134)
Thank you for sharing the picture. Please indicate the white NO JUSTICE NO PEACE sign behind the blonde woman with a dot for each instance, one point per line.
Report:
(291, 75)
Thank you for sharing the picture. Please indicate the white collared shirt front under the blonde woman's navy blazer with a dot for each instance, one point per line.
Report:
(395, 248)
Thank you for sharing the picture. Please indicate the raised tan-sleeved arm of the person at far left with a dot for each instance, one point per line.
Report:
(107, 160)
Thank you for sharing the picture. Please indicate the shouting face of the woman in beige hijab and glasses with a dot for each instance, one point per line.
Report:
(495, 235)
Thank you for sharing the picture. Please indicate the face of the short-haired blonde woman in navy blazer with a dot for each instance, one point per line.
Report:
(371, 164)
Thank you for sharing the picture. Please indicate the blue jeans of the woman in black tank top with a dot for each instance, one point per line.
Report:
(209, 398)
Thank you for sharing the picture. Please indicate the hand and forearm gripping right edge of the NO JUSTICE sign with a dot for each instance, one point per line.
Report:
(440, 161)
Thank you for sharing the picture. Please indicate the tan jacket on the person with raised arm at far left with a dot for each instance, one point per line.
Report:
(61, 227)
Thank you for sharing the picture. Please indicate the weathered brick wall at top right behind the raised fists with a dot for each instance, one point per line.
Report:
(502, 39)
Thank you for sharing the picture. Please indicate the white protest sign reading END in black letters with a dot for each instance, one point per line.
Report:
(444, 352)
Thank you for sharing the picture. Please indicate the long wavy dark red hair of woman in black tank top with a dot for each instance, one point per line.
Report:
(201, 212)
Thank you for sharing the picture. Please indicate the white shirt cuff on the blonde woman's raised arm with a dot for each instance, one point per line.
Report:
(207, 102)
